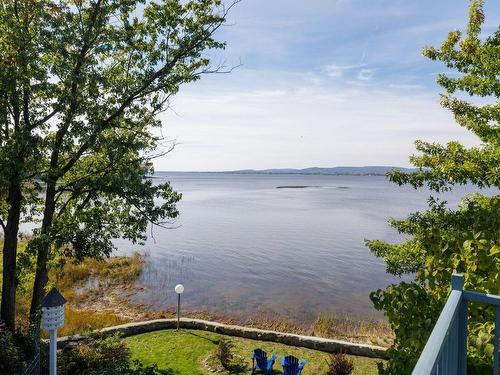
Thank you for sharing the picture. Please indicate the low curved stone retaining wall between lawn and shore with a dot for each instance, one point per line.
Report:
(310, 342)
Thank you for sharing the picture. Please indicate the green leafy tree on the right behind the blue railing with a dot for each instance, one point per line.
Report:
(443, 240)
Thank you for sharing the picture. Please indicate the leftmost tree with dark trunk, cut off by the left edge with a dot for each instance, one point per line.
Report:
(21, 111)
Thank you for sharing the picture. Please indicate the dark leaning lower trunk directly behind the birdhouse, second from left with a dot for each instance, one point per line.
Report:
(41, 275)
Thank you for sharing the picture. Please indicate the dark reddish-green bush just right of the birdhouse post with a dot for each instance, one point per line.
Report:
(103, 356)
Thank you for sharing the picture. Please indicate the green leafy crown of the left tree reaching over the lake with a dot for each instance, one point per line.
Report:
(115, 71)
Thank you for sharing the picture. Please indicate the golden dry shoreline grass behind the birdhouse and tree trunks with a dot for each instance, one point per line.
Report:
(83, 285)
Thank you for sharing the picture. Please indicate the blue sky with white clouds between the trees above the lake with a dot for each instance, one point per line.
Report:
(319, 83)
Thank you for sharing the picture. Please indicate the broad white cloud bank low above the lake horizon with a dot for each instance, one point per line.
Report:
(305, 125)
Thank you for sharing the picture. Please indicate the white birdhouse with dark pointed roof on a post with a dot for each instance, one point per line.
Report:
(53, 318)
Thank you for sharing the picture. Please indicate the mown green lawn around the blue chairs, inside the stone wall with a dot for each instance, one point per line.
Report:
(184, 353)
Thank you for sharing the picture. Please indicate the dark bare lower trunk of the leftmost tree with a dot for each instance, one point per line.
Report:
(8, 309)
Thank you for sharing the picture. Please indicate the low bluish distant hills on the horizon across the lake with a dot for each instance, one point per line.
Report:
(349, 171)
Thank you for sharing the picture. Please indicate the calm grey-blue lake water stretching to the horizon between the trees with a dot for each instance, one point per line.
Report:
(242, 246)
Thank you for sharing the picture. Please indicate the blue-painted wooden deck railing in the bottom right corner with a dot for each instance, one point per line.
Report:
(446, 350)
